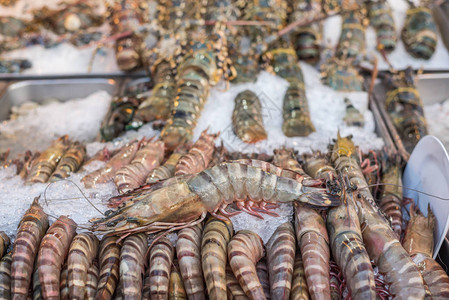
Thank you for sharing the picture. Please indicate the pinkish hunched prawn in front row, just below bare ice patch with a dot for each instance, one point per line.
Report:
(244, 250)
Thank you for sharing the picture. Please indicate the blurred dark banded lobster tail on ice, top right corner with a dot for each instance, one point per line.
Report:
(420, 34)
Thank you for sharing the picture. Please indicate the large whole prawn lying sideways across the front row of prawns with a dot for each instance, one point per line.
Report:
(212, 190)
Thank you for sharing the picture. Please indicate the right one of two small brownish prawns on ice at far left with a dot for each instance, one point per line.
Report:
(70, 162)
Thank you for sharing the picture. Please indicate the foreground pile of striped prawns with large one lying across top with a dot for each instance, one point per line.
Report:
(343, 243)
